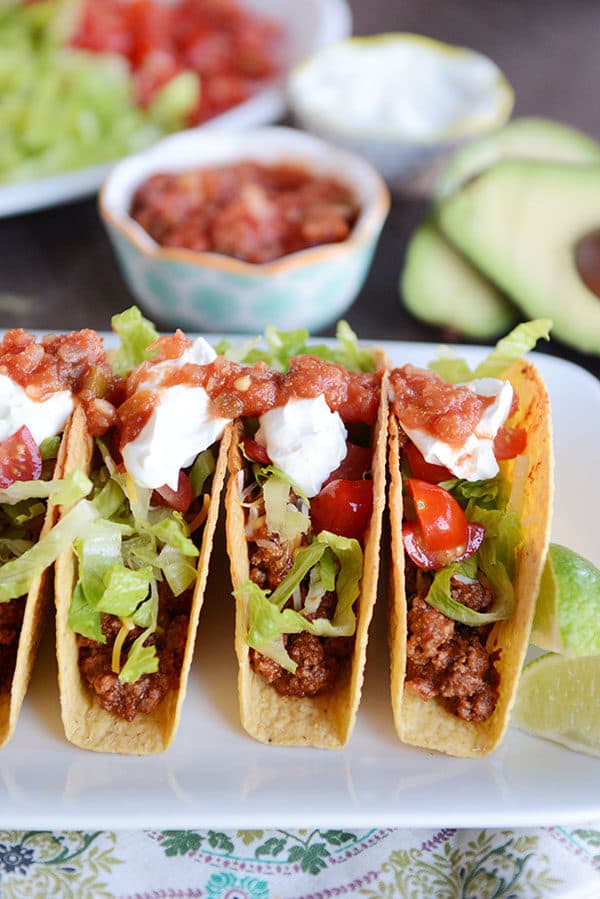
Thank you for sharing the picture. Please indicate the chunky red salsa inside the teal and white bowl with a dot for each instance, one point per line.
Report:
(256, 213)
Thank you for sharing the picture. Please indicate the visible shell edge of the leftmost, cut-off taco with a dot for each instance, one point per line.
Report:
(36, 606)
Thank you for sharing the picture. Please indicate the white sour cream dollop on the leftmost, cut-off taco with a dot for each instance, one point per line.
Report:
(44, 418)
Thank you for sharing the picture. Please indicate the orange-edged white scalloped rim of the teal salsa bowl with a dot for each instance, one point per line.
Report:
(270, 143)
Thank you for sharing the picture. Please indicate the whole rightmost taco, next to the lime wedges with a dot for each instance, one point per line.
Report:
(470, 505)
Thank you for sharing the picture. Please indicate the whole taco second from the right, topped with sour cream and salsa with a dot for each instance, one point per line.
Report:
(304, 505)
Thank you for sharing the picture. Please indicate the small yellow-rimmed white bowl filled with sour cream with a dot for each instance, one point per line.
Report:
(403, 101)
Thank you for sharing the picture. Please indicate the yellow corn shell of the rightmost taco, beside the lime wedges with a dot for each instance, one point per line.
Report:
(429, 724)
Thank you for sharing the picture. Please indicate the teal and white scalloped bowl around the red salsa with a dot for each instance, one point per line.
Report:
(209, 291)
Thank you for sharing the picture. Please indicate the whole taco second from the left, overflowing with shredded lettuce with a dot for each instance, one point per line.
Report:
(130, 589)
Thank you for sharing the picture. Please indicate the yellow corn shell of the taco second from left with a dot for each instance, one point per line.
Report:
(86, 724)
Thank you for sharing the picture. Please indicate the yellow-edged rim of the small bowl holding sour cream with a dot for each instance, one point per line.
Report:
(504, 93)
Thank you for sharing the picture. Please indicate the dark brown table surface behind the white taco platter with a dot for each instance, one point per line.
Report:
(59, 263)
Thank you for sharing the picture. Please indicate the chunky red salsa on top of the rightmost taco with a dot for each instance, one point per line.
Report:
(423, 400)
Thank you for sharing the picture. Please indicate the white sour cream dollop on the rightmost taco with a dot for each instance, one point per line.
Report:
(473, 460)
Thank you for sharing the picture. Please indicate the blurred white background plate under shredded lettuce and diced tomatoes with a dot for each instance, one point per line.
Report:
(309, 24)
